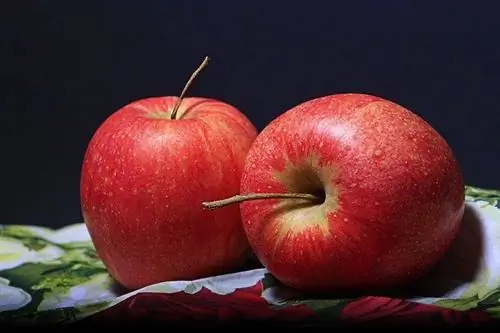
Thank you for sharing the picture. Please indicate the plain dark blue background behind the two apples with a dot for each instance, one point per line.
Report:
(67, 65)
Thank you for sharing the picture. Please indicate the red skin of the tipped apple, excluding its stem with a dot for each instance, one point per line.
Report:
(393, 195)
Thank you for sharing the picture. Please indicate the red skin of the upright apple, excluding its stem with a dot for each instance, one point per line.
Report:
(143, 179)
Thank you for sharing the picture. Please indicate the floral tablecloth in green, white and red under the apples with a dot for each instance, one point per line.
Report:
(55, 276)
